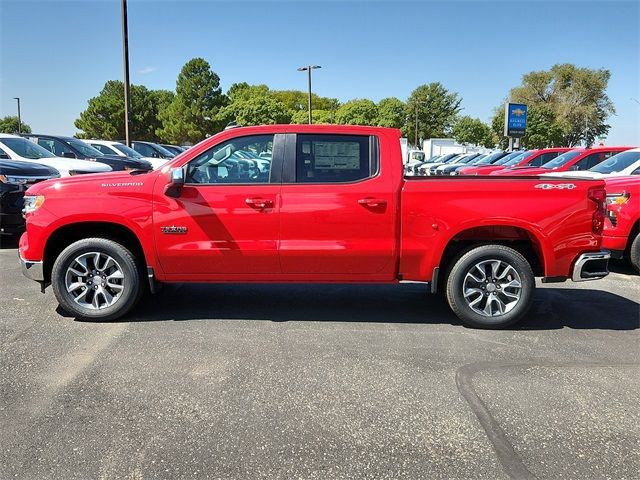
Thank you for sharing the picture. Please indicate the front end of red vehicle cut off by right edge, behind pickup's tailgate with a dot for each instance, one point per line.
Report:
(622, 226)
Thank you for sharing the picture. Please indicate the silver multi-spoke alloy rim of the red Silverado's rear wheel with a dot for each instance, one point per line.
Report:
(492, 287)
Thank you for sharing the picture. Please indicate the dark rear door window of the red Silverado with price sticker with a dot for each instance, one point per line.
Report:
(332, 158)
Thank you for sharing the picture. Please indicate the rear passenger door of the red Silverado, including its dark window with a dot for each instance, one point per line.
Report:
(337, 208)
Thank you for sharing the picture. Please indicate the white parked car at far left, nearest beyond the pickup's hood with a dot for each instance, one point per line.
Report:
(19, 148)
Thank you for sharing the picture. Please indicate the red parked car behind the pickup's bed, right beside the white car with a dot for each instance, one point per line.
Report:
(576, 159)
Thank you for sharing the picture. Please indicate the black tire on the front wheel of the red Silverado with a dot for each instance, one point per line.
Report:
(129, 295)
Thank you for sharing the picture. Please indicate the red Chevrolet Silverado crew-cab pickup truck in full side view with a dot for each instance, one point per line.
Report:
(310, 203)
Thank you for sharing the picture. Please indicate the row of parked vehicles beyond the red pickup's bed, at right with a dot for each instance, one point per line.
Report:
(618, 166)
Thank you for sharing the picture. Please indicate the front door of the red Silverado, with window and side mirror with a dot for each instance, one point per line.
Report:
(225, 219)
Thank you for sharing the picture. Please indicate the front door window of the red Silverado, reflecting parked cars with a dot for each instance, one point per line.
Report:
(227, 162)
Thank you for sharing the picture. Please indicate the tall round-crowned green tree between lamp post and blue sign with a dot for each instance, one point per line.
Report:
(437, 109)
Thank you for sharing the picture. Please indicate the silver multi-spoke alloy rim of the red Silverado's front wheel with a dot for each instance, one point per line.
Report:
(94, 280)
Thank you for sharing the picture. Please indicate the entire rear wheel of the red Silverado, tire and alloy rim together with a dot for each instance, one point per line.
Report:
(514, 310)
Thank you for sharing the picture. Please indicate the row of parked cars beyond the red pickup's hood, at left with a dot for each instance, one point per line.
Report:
(30, 158)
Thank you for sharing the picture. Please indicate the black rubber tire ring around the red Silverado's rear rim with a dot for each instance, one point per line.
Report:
(462, 266)
